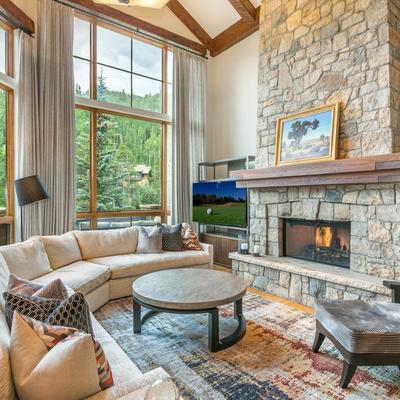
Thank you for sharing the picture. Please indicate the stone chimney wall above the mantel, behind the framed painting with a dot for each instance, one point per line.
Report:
(315, 52)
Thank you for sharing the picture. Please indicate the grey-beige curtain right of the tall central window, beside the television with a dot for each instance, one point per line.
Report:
(188, 130)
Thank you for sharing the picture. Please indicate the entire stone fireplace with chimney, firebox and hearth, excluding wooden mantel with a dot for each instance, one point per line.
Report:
(314, 53)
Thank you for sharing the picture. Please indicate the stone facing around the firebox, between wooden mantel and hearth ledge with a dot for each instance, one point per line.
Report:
(374, 212)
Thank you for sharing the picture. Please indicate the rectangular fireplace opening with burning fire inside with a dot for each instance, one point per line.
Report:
(319, 241)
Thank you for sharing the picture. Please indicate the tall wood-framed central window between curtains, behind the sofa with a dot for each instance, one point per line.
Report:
(123, 85)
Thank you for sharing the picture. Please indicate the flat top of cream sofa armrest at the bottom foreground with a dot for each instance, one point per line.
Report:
(135, 389)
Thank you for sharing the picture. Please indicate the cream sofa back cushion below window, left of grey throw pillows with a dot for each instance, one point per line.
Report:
(107, 243)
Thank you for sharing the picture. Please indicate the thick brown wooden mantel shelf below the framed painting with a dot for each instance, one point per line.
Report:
(375, 169)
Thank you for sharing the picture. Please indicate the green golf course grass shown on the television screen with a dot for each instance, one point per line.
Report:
(231, 214)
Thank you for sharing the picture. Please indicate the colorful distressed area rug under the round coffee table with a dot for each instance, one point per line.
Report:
(273, 360)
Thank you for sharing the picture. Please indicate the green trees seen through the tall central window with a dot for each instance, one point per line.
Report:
(126, 148)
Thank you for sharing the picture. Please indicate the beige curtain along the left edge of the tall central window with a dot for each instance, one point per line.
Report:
(56, 114)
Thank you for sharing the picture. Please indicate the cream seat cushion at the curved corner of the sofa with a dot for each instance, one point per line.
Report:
(80, 276)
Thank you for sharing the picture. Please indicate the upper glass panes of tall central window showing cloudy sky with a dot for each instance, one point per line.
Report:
(130, 69)
